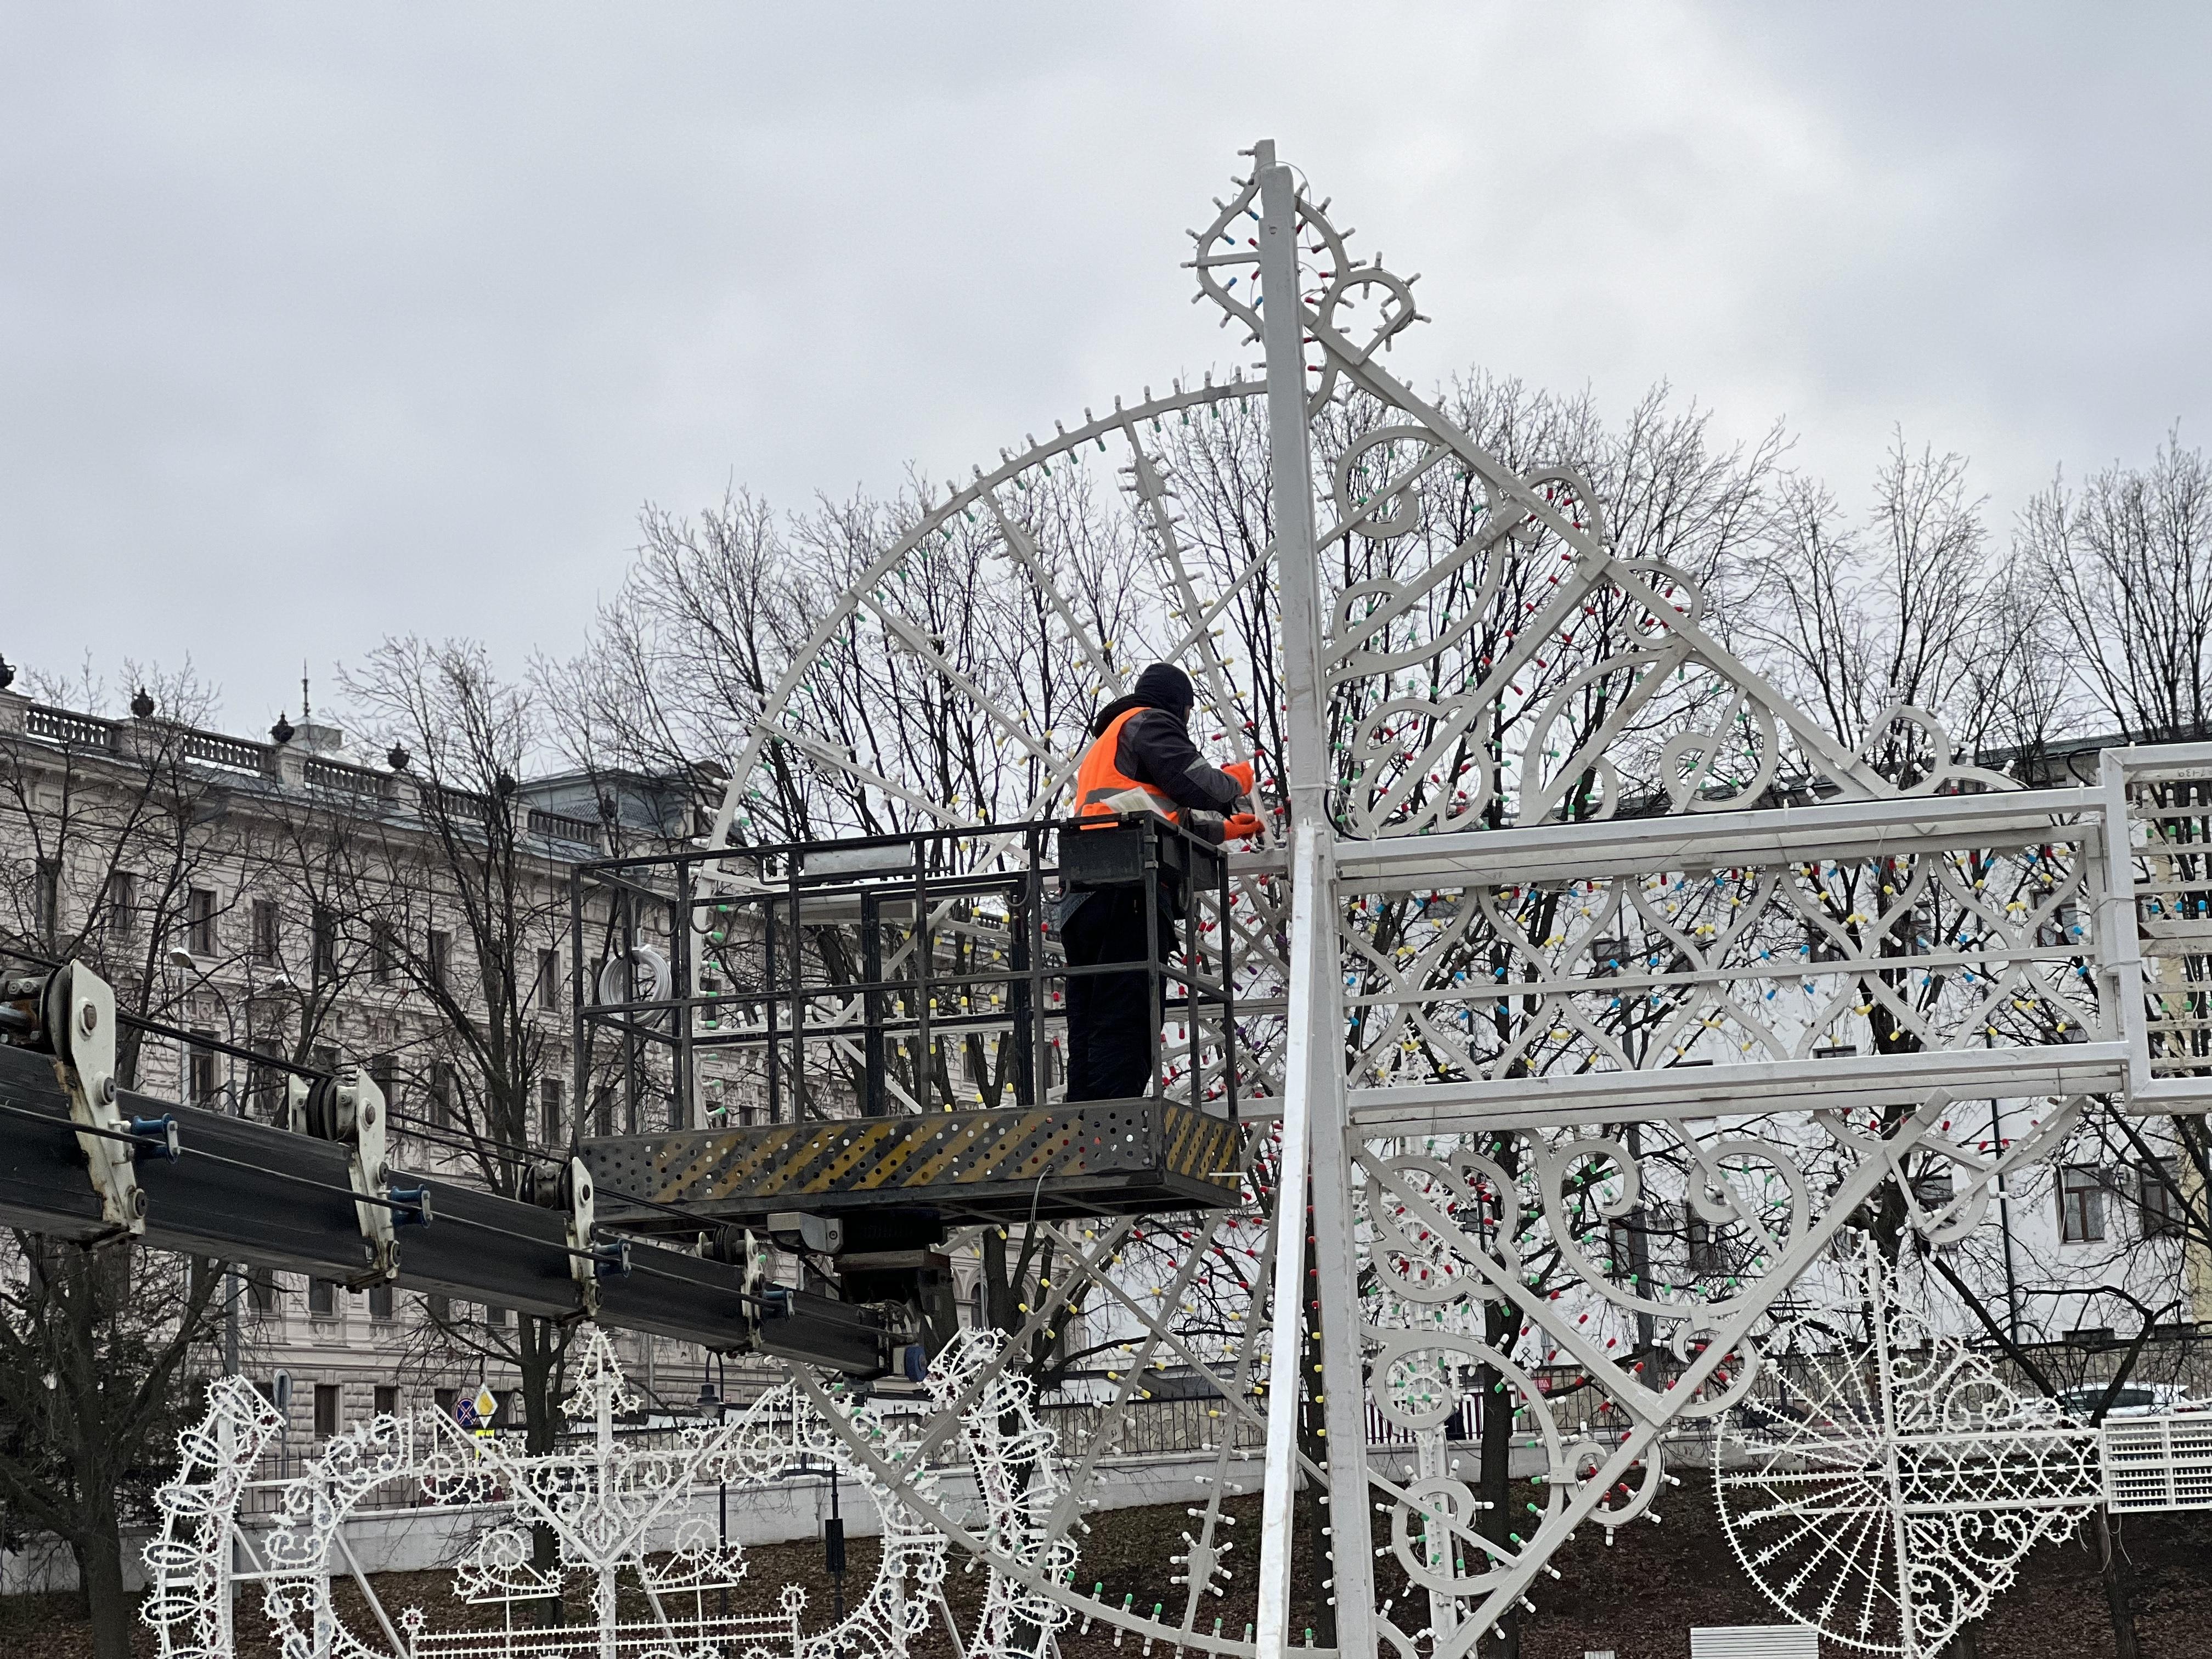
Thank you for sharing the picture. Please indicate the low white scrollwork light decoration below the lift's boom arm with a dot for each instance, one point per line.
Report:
(620, 1514)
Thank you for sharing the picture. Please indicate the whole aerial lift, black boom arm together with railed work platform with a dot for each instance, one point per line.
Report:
(824, 979)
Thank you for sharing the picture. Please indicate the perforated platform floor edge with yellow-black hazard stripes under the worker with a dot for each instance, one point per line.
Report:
(1098, 1158)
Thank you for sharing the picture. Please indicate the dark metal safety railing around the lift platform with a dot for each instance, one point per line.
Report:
(888, 974)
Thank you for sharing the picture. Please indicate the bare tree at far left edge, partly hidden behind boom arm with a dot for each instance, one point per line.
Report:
(118, 855)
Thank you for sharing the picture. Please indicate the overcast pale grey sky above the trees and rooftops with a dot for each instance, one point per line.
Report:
(322, 324)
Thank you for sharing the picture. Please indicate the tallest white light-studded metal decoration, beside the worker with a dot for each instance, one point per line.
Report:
(1576, 886)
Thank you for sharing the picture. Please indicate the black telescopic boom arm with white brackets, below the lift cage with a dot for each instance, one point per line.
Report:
(87, 1160)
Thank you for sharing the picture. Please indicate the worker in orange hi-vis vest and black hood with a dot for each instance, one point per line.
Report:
(1140, 760)
